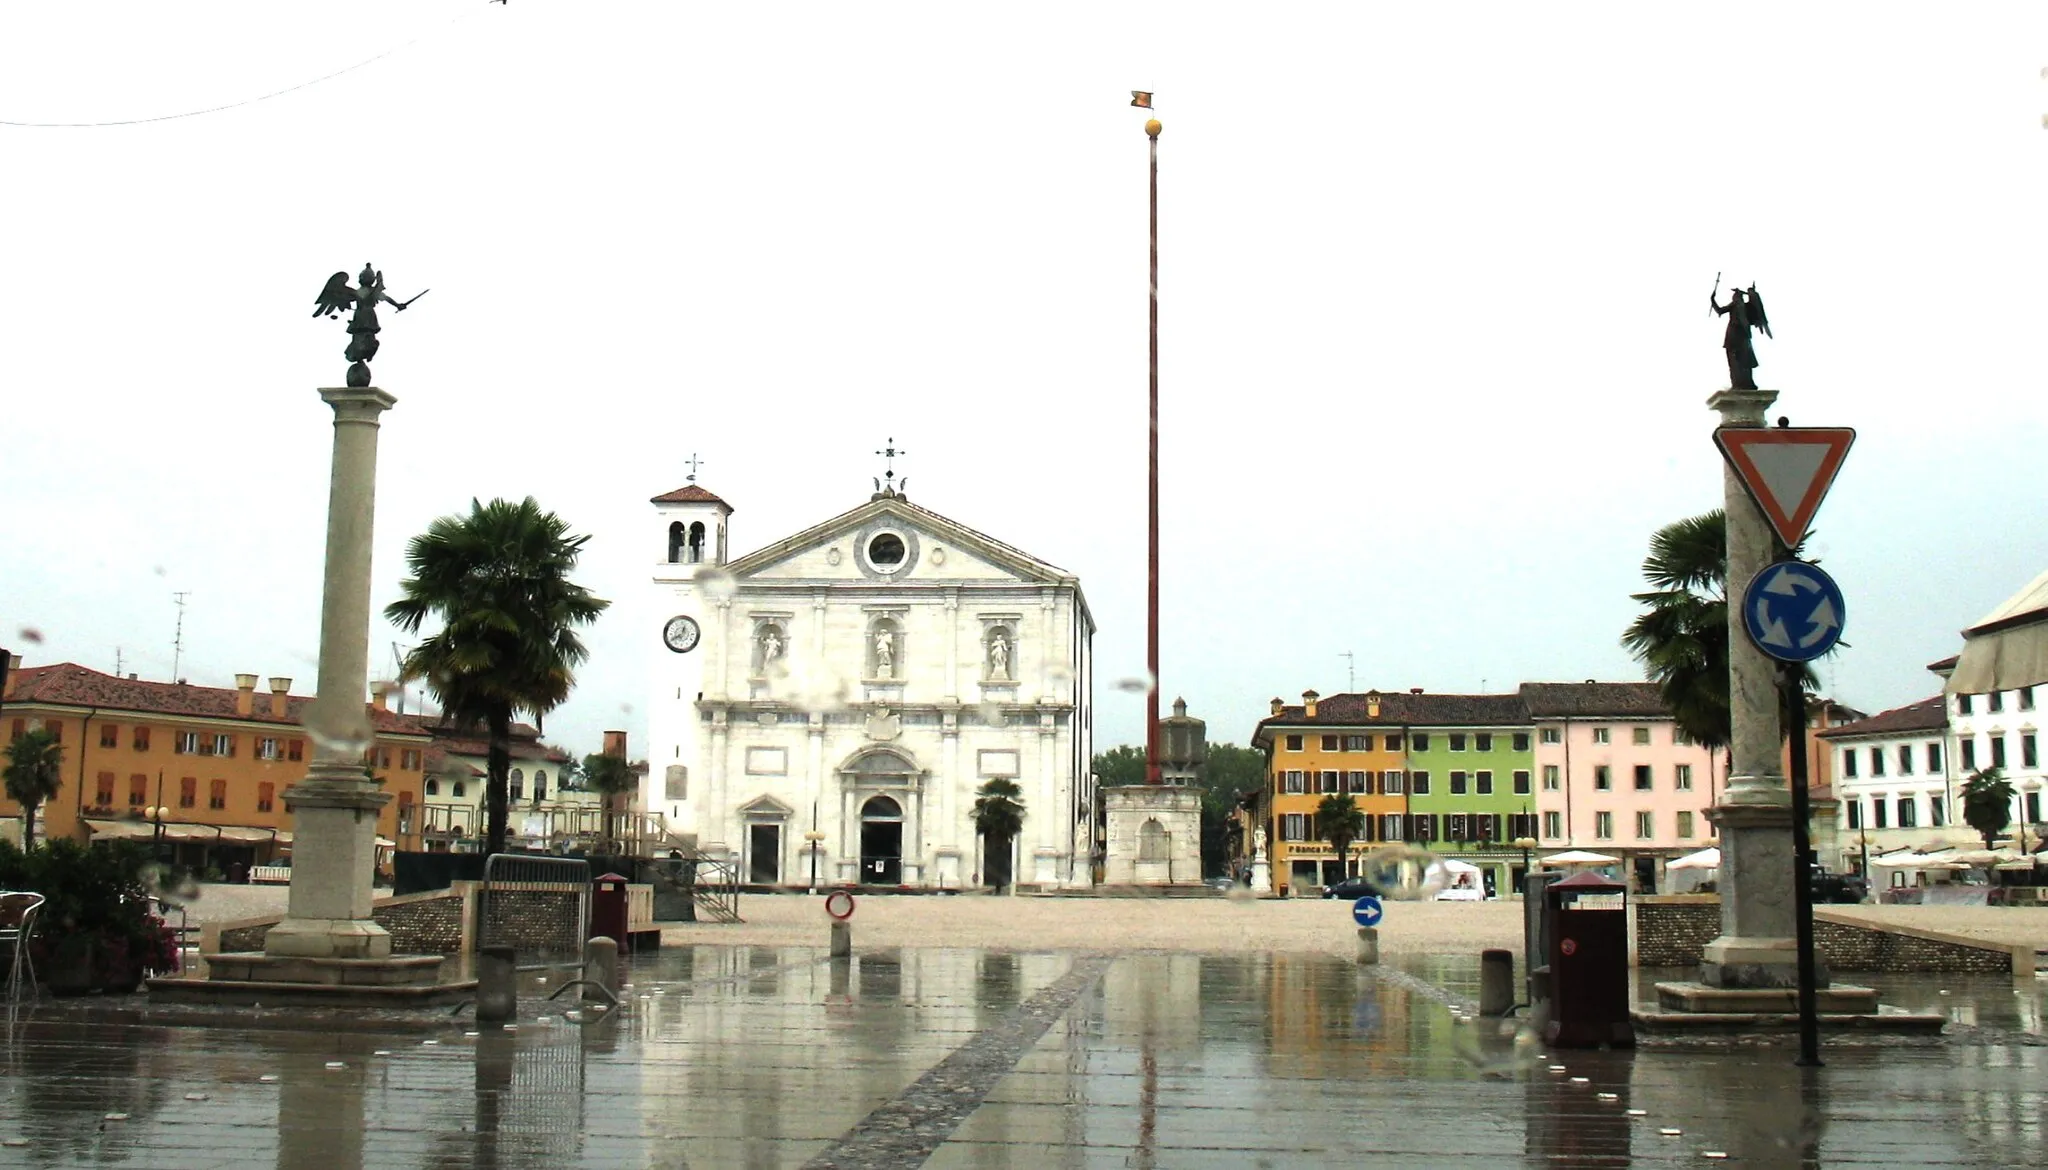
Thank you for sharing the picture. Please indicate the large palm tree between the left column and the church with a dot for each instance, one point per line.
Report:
(499, 581)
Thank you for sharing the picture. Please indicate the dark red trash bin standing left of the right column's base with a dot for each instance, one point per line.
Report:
(1586, 933)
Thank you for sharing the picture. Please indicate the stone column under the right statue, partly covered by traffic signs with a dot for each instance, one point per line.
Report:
(1756, 946)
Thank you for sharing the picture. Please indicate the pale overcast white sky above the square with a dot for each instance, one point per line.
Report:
(1435, 337)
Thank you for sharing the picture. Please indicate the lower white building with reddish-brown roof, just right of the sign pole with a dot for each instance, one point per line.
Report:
(1897, 786)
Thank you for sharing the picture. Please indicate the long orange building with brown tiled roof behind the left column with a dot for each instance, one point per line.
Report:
(216, 761)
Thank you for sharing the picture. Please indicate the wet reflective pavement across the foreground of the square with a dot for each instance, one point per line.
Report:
(757, 1056)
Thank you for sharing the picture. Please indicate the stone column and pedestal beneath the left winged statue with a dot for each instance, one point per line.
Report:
(335, 808)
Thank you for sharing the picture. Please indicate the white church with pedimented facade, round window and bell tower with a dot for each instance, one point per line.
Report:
(826, 708)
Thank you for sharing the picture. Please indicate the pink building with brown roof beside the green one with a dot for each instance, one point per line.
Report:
(1615, 776)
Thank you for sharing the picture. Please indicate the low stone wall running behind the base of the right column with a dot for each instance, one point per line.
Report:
(1674, 929)
